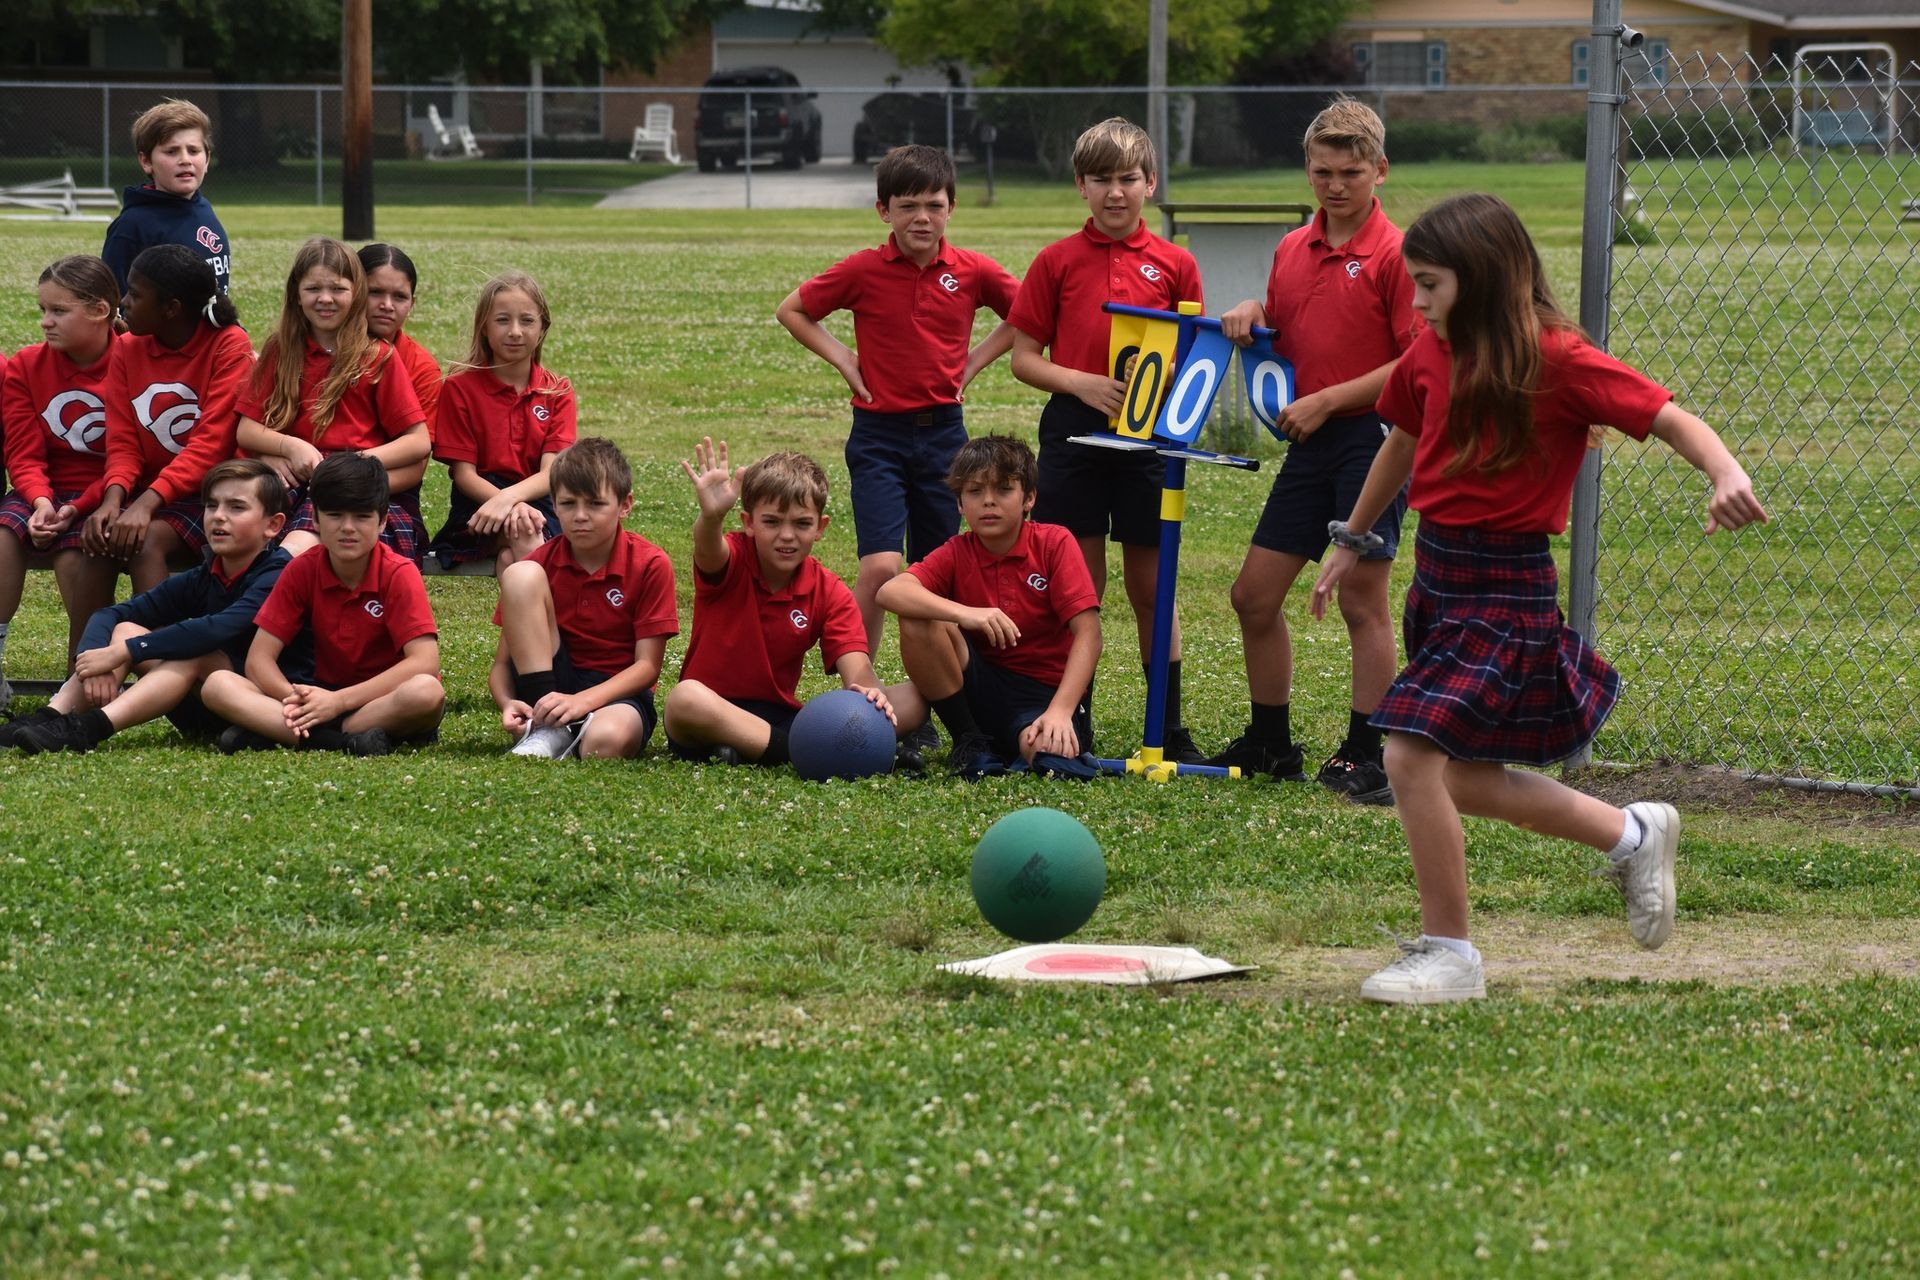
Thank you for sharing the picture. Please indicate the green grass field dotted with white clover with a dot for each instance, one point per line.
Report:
(458, 1014)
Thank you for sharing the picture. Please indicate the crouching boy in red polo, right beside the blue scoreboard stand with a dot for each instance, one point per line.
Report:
(1001, 625)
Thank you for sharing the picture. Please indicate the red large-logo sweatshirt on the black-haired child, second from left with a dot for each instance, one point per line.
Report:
(174, 414)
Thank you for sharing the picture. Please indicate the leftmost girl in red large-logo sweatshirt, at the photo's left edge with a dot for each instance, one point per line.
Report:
(53, 423)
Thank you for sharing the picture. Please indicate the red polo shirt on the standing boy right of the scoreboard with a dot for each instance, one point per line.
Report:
(1341, 312)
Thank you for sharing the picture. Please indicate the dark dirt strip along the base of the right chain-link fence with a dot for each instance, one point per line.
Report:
(1731, 792)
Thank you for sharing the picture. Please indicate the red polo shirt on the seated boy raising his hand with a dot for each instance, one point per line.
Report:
(750, 640)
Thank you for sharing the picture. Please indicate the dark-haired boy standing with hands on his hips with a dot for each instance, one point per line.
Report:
(913, 308)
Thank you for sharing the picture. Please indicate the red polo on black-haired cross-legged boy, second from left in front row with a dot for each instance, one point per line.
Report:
(358, 632)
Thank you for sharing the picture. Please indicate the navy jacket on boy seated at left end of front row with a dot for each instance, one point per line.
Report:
(193, 615)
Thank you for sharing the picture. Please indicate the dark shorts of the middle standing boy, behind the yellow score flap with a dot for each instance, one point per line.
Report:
(1092, 490)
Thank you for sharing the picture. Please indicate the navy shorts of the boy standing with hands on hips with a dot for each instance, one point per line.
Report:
(898, 467)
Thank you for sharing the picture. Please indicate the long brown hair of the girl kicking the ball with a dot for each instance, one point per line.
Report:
(1500, 312)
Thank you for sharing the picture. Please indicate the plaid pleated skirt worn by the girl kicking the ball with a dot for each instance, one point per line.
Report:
(1495, 675)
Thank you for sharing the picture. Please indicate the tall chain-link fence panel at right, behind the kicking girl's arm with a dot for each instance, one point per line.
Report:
(1765, 270)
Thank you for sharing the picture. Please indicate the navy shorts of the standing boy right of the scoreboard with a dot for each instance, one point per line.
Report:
(1320, 481)
